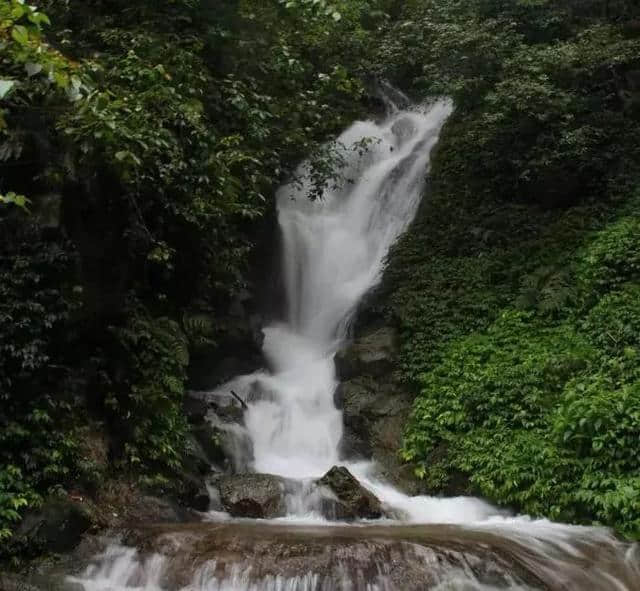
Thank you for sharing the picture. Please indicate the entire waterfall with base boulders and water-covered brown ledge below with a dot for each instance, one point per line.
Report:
(292, 535)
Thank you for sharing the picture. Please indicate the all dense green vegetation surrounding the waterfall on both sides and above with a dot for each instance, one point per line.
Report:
(140, 145)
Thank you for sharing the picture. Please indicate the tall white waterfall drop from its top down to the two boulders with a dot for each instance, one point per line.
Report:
(333, 252)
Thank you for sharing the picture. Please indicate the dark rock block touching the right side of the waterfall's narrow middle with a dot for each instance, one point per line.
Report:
(372, 354)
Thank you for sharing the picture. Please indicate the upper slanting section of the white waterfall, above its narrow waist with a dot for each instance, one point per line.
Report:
(334, 247)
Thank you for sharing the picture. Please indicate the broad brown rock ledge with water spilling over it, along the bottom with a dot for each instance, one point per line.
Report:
(269, 556)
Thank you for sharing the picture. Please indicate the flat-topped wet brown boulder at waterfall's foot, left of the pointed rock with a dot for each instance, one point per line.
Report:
(260, 496)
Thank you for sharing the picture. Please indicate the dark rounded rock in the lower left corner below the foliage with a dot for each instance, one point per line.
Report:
(58, 526)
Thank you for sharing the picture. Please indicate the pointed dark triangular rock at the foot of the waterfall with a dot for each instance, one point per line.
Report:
(352, 500)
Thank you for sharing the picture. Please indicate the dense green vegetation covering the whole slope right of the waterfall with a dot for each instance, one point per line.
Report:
(517, 290)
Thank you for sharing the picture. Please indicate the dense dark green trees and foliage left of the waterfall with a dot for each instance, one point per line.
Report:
(140, 144)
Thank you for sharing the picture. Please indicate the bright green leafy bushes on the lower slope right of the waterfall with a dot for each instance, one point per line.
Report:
(538, 419)
